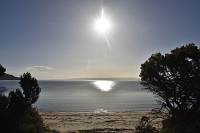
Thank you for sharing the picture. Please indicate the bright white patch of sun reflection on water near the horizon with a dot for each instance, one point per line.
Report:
(104, 85)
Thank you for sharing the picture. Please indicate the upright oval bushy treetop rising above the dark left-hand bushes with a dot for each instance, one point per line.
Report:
(30, 87)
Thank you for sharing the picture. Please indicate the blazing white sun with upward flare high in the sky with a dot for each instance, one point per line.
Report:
(102, 24)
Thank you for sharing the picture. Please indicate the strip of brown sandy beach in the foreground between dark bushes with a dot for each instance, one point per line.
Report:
(69, 122)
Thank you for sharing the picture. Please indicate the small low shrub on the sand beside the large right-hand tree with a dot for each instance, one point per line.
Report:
(145, 126)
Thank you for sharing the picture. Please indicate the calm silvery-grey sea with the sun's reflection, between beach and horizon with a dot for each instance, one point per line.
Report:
(90, 96)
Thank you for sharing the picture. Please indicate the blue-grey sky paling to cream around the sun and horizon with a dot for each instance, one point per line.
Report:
(55, 39)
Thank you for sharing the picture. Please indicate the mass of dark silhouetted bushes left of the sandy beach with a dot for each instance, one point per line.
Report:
(17, 114)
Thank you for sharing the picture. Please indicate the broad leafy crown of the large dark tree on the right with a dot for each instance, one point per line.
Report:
(175, 78)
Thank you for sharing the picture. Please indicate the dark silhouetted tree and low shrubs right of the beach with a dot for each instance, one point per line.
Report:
(175, 79)
